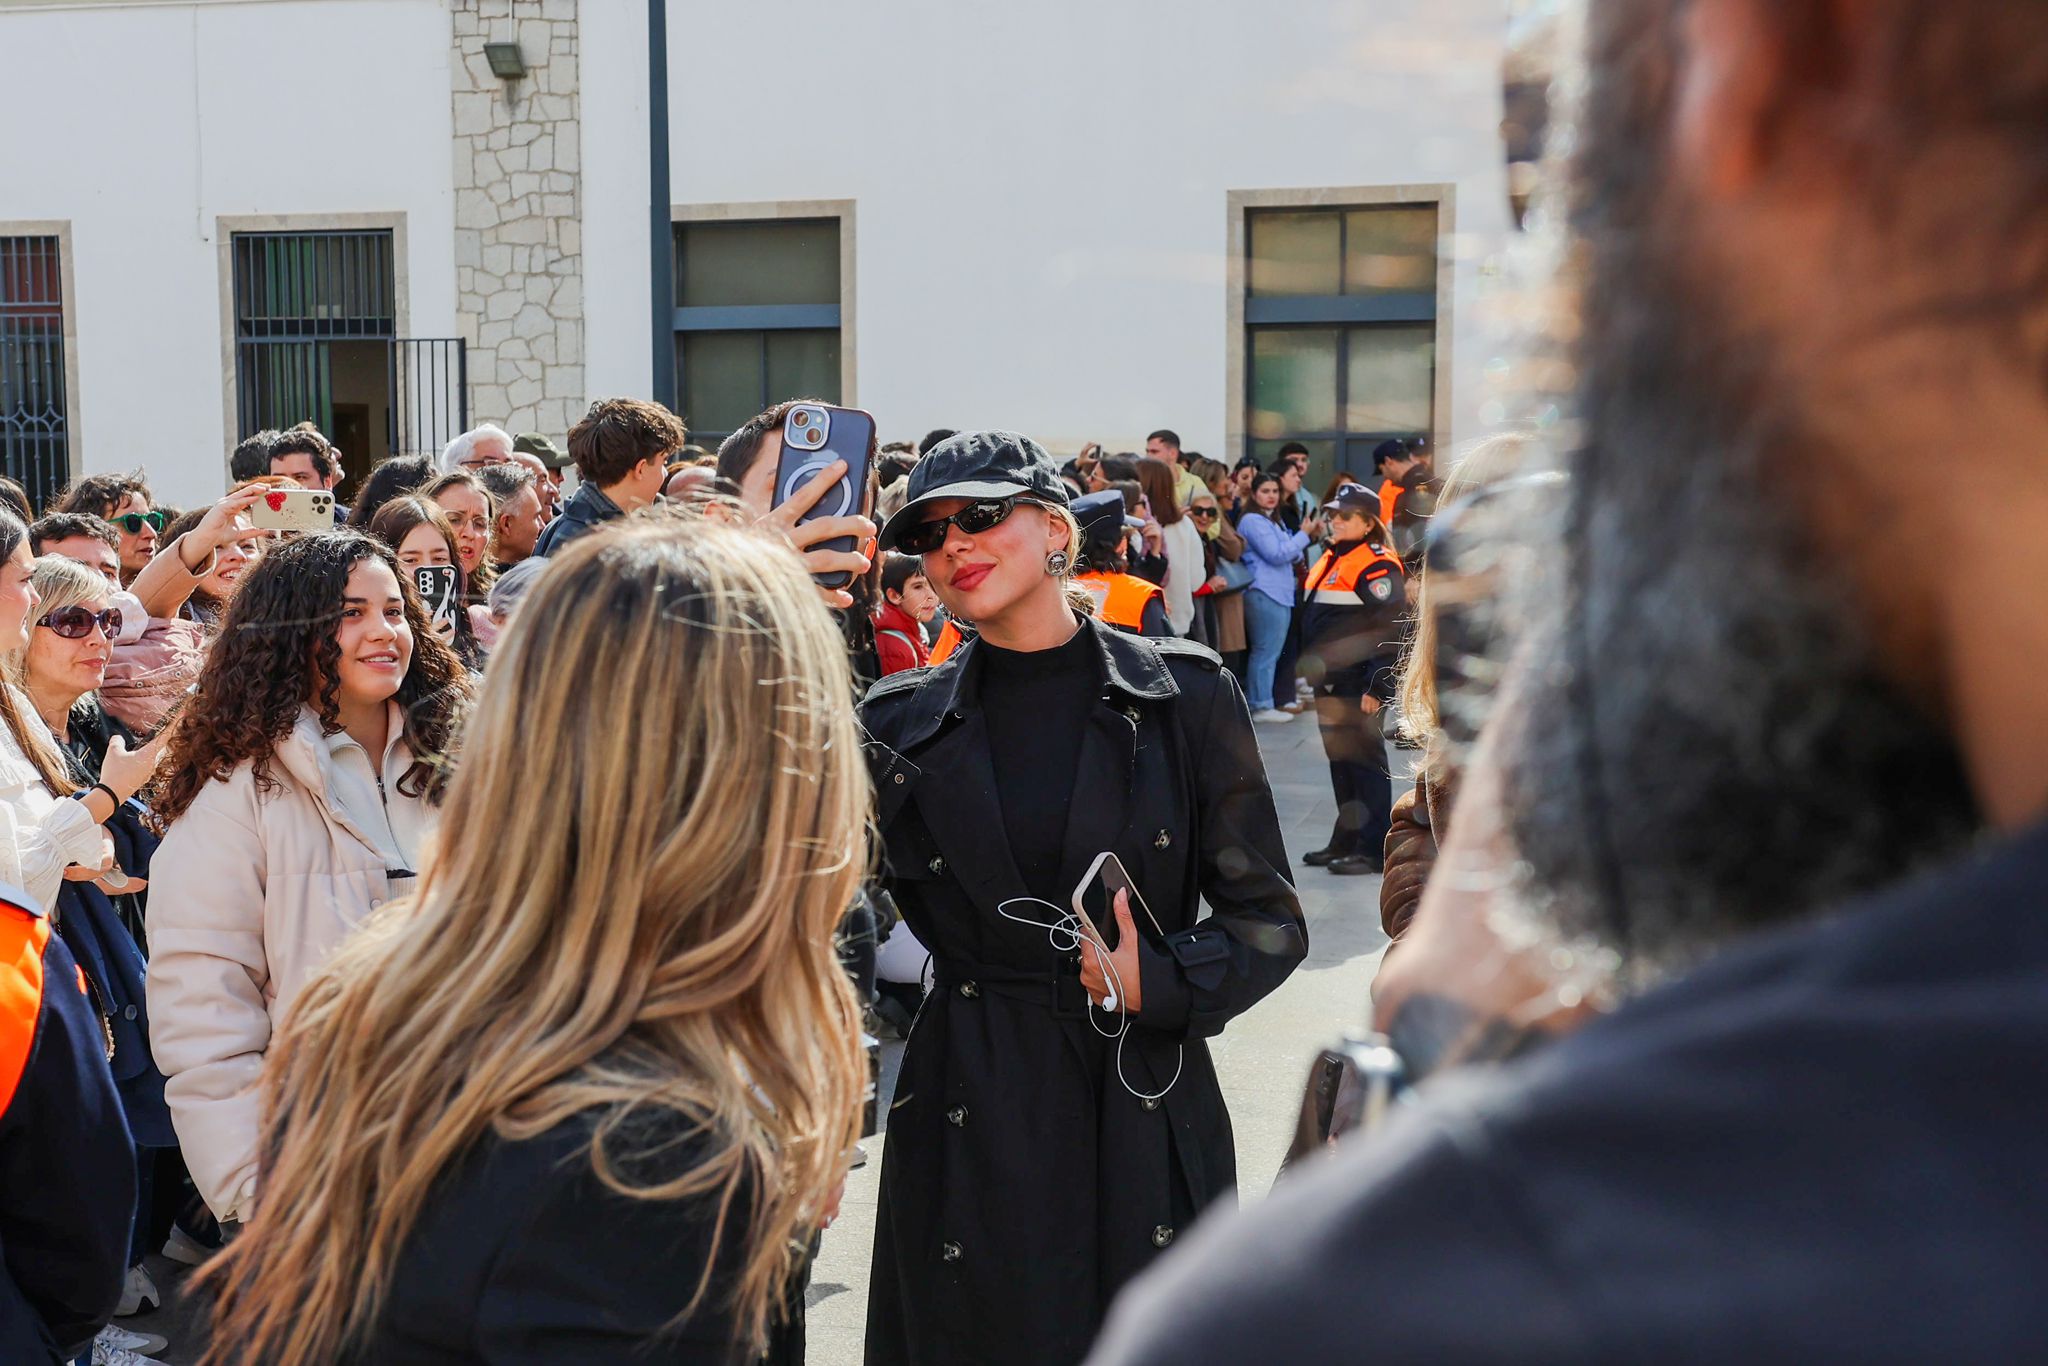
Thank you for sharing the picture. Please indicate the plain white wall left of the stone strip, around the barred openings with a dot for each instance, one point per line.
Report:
(173, 116)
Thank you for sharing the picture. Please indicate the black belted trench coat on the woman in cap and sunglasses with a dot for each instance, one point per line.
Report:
(1023, 1183)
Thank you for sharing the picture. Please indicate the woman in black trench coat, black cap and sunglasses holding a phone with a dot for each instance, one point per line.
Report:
(1033, 1166)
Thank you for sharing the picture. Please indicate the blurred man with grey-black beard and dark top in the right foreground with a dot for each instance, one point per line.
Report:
(1781, 755)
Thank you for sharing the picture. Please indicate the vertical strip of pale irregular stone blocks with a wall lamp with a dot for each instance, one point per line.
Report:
(519, 253)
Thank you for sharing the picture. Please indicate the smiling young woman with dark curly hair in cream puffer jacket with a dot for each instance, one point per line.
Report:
(296, 802)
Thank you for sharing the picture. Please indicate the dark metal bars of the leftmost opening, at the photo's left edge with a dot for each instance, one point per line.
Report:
(36, 443)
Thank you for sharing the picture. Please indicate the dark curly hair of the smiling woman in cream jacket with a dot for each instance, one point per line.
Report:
(278, 652)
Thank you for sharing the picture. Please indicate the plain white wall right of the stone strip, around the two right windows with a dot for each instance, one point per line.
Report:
(1041, 187)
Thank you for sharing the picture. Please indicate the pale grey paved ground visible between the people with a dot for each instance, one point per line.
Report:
(1261, 1060)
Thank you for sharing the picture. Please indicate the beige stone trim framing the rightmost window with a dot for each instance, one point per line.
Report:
(1342, 198)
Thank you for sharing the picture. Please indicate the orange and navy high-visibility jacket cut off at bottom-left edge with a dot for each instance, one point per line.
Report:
(71, 1166)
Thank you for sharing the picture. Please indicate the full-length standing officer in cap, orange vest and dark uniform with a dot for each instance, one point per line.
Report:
(1353, 611)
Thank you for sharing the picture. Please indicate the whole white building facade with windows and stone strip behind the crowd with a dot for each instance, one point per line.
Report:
(1078, 220)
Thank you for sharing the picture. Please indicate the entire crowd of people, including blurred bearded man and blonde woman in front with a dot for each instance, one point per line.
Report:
(490, 986)
